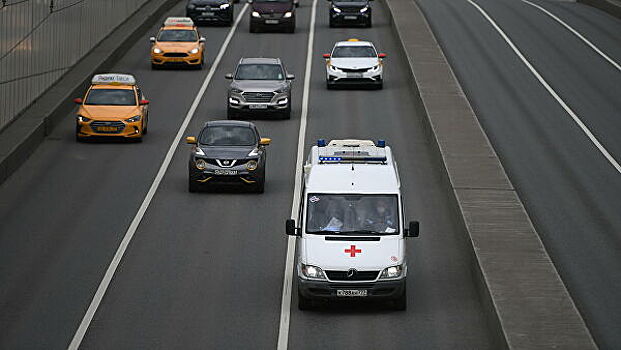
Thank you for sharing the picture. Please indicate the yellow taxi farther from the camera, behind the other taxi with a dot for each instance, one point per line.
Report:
(178, 43)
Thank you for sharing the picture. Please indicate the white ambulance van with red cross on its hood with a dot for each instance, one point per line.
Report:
(350, 227)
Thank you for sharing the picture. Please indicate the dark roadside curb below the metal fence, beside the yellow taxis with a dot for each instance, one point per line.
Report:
(21, 138)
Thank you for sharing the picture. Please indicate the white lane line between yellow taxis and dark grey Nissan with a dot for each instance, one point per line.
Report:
(129, 234)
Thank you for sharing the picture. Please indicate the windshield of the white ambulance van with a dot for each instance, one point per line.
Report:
(352, 214)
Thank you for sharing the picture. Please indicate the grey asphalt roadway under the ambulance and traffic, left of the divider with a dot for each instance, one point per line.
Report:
(206, 270)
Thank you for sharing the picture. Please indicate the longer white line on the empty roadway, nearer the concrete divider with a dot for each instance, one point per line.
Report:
(545, 84)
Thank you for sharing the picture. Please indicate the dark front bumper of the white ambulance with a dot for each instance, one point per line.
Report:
(313, 289)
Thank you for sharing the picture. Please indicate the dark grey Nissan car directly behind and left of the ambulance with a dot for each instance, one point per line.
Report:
(227, 152)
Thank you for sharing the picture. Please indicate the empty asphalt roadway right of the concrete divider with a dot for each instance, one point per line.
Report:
(570, 190)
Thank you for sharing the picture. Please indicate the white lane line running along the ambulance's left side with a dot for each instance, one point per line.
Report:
(285, 304)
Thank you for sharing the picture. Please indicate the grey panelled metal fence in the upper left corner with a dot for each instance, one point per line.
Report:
(41, 39)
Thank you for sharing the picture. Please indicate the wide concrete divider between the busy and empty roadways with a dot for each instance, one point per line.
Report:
(526, 303)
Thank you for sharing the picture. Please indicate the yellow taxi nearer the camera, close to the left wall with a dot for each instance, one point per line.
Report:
(113, 106)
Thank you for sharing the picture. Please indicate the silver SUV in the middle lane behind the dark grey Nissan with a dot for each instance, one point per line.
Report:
(261, 86)
